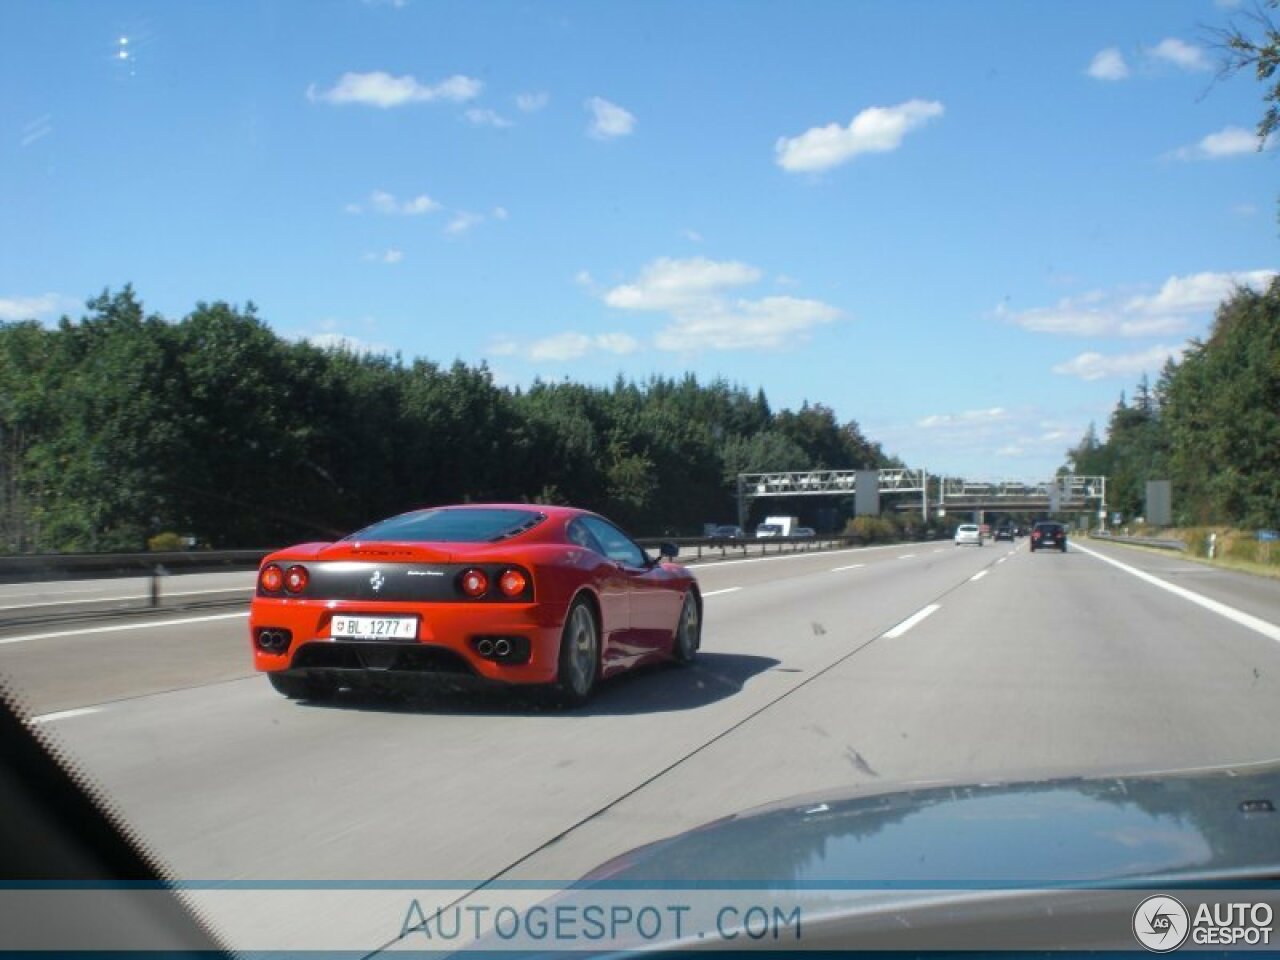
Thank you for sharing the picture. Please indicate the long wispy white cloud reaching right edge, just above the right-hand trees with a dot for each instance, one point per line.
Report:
(1172, 310)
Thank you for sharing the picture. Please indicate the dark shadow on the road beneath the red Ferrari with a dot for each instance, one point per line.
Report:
(659, 689)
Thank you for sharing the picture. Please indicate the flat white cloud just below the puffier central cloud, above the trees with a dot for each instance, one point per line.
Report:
(748, 324)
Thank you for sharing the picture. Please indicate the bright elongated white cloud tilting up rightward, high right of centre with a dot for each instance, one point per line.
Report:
(876, 130)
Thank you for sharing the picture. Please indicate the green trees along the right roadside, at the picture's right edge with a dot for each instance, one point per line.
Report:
(1210, 426)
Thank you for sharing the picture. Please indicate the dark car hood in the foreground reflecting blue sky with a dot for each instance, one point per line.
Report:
(1109, 831)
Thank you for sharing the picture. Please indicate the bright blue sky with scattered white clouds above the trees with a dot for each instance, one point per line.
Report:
(966, 226)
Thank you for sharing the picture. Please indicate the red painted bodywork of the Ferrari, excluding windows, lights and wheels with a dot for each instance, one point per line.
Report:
(638, 609)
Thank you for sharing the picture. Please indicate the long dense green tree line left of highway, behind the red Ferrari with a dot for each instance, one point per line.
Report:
(124, 426)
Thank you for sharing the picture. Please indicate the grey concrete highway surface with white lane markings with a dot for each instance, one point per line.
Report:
(825, 673)
